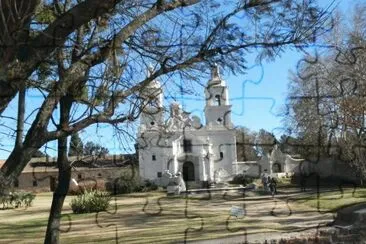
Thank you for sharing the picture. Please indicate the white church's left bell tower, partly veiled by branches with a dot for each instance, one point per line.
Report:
(152, 95)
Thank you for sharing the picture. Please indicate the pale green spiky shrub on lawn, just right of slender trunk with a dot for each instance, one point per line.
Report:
(90, 202)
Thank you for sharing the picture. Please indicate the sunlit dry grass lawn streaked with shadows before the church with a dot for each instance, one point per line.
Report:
(156, 218)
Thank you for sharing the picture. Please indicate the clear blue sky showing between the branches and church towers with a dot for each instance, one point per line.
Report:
(256, 99)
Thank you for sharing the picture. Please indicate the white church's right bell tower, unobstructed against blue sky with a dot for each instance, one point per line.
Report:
(217, 109)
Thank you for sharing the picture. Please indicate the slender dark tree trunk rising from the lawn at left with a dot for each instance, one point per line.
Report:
(64, 177)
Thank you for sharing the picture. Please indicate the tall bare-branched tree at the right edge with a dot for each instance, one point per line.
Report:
(327, 96)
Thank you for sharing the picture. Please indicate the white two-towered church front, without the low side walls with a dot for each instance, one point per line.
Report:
(201, 152)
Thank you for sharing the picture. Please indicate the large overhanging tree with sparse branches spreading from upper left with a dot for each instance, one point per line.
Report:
(93, 54)
